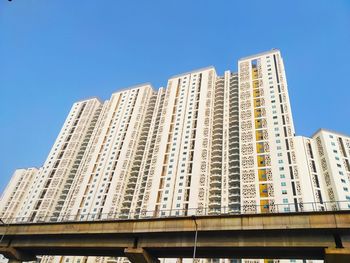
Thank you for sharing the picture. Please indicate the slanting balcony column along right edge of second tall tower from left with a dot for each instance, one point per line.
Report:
(135, 179)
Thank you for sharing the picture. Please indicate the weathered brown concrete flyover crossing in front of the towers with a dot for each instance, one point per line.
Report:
(308, 235)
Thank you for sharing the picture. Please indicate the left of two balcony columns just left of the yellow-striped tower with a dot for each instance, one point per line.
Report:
(216, 150)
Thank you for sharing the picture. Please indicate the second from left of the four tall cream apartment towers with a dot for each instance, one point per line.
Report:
(110, 156)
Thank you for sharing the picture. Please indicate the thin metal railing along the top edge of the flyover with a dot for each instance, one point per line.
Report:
(214, 209)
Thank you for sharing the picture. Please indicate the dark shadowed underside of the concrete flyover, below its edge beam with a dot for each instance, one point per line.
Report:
(285, 244)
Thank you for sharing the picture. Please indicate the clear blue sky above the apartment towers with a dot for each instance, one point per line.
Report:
(55, 52)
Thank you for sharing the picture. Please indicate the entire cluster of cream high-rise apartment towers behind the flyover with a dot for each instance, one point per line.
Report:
(205, 144)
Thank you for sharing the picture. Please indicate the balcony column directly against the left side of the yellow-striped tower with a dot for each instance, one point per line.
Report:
(233, 150)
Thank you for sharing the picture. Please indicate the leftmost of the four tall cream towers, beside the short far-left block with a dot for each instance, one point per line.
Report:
(50, 187)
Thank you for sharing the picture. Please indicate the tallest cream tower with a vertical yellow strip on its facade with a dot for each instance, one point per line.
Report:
(269, 170)
